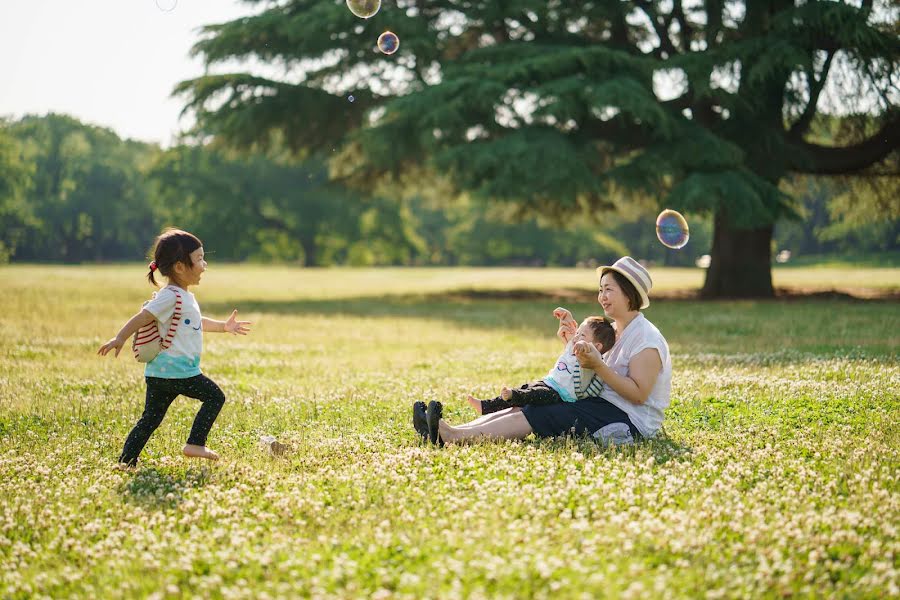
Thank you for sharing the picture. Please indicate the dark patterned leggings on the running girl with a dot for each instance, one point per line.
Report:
(160, 394)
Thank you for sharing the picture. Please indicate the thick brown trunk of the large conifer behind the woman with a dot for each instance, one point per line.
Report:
(740, 262)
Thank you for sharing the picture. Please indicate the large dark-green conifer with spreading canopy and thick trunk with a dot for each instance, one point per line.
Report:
(560, 106)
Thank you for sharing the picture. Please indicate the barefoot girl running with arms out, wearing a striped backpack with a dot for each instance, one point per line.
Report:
(178, 256)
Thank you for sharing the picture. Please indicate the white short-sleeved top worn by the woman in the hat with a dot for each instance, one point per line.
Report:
(639, 335)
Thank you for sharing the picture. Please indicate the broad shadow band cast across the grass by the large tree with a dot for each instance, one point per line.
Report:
(745, 326)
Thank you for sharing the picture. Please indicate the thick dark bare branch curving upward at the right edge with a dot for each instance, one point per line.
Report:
(815, 159)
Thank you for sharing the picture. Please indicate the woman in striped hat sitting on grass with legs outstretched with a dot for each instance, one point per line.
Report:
(636, 374)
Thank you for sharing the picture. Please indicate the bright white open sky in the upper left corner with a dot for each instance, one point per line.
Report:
(112, 63)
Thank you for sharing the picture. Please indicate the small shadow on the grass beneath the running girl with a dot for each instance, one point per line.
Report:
(162, 488)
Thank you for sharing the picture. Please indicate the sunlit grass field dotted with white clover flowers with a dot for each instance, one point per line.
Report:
(778, 473)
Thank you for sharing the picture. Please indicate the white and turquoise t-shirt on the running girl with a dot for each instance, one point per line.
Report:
(182, 358)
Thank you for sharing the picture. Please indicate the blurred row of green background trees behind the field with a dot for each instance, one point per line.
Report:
(71, 192)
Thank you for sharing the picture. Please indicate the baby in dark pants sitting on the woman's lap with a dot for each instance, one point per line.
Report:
(567, 381)
